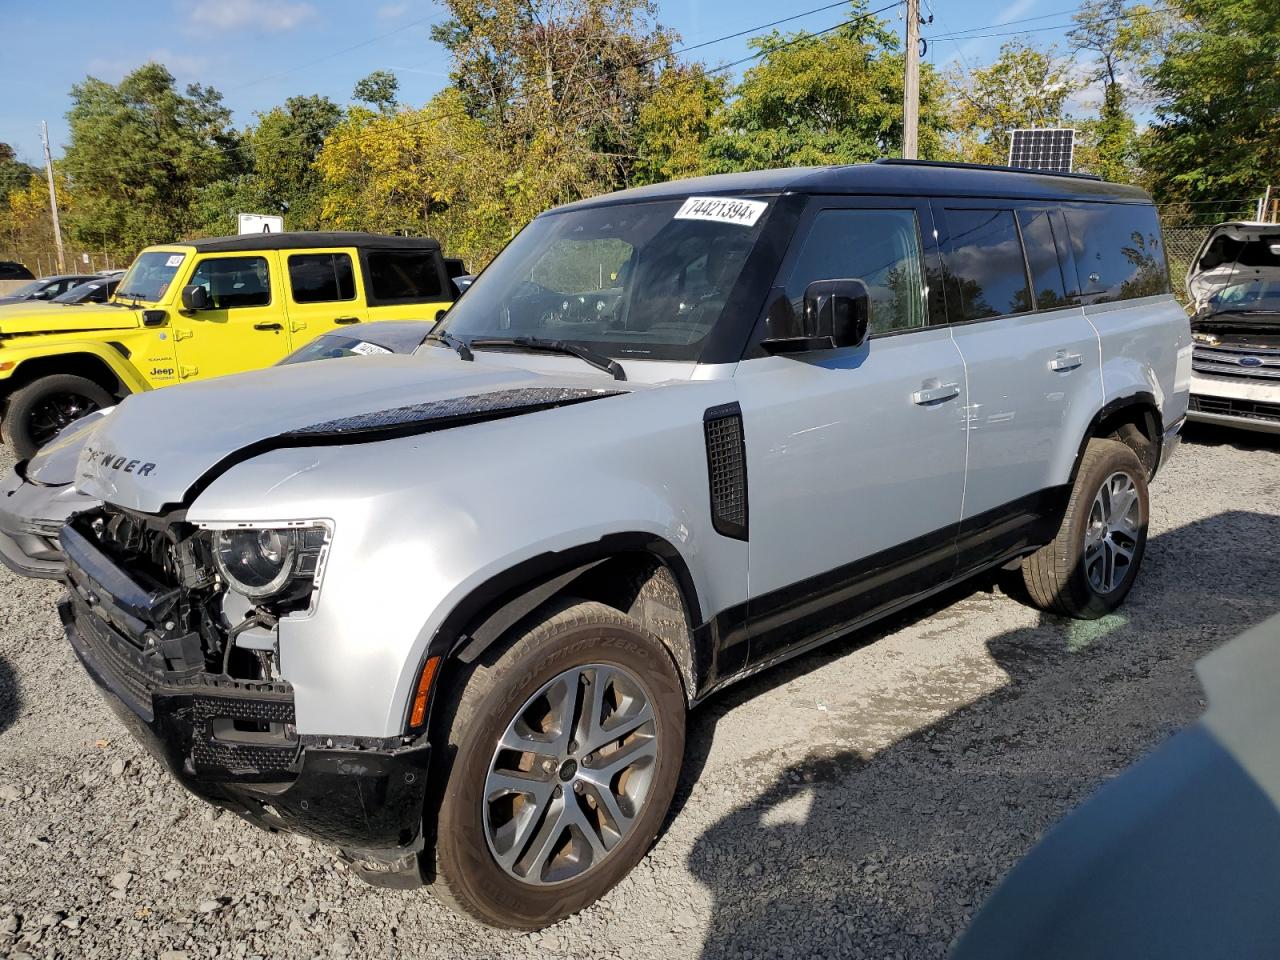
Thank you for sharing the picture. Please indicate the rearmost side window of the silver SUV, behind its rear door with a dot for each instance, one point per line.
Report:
(1118, 252)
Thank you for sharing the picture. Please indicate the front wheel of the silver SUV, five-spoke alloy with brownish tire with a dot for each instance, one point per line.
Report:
(564, 752)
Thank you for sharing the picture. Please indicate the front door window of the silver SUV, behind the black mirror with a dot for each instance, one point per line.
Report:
(879, 248)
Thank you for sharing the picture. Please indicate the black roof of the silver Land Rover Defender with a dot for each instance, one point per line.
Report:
(912, 179)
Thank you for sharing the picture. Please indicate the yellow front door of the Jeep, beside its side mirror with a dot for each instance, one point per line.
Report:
(245, 328)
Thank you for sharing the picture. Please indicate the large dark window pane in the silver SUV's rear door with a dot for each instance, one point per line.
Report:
(986, 275)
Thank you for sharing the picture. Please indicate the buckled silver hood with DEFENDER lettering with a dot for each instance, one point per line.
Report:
(162, 447)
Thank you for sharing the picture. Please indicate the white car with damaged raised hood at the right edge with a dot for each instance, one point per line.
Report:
(1235, 285)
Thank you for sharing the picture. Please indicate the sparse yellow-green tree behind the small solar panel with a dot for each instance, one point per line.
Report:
(1023, 88)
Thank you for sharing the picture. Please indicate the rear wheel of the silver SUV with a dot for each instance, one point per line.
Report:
(1091, 565)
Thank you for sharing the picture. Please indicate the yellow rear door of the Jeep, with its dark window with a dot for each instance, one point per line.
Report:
(323, 292)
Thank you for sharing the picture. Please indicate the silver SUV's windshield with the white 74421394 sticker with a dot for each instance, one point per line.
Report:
(646, 280)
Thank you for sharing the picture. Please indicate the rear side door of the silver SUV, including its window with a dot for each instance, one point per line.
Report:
(1034, 365)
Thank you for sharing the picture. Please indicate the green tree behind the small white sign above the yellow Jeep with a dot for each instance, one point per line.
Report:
(282, 176)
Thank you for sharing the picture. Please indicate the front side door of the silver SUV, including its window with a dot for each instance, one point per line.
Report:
(857, 456)
